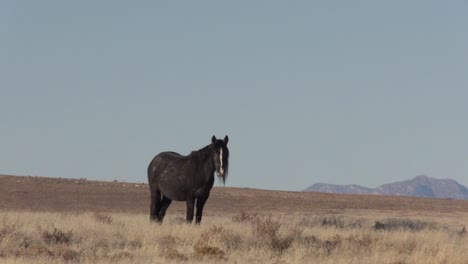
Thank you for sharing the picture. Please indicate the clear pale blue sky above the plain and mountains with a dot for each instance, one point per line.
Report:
(363, 92)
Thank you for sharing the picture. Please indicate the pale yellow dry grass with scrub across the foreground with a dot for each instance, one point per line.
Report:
(27, 237)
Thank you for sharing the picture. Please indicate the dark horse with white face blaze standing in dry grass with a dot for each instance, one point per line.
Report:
(172, 176)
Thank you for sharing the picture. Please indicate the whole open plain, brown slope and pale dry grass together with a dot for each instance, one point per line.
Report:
(46, 220)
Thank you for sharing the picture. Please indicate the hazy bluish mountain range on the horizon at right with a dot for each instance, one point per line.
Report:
(420, 186)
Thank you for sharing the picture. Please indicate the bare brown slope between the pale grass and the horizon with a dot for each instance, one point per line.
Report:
(59, 194)
